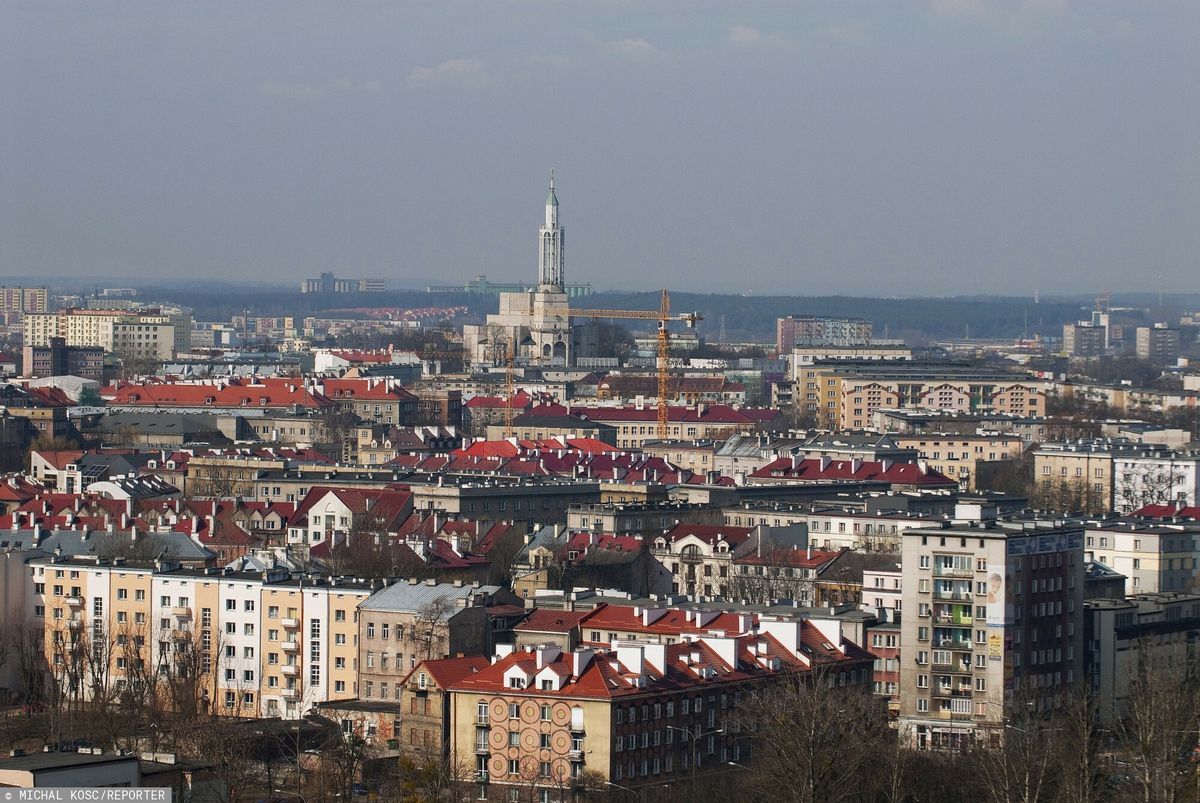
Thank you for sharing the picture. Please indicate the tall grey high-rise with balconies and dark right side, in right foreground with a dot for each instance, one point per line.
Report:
(993, 615)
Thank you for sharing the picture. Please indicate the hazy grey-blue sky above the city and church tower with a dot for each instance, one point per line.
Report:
(896, 148)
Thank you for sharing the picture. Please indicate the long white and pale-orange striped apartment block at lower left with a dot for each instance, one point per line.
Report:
(243, 644)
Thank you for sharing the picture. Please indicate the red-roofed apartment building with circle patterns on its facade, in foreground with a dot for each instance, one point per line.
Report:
(637, 714)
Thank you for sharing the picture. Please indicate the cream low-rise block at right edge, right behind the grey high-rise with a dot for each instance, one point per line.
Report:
(1155, 558)
